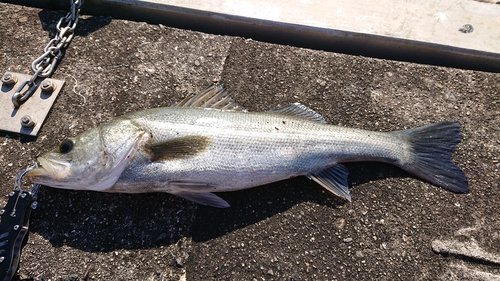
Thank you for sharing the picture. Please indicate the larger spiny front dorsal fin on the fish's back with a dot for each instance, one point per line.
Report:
(215, 96)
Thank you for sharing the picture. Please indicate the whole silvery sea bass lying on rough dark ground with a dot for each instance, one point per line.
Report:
(207, 143)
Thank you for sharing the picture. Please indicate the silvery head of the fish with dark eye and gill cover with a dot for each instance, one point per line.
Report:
(93, 160)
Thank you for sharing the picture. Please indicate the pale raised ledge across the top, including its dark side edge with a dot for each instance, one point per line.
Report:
(452, 33)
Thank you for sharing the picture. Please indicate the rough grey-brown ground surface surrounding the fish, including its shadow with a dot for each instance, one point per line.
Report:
(396, 227)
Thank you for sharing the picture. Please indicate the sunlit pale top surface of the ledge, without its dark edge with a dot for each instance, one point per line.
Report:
(439, 22)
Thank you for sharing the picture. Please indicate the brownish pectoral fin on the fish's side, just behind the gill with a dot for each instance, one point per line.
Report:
(176, 148)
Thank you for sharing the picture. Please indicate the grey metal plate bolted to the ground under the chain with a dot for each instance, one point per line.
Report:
(37, 106)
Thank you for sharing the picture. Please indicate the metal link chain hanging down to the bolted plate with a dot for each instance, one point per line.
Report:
(44, 65)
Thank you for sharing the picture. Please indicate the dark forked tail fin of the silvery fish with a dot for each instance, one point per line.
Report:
(430, 148)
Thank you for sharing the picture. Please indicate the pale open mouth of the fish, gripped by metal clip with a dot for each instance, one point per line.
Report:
(48, 171)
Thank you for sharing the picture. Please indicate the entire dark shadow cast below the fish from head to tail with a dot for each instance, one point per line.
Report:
(104, 222)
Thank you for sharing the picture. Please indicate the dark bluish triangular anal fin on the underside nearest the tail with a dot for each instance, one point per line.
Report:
(334, 179)
